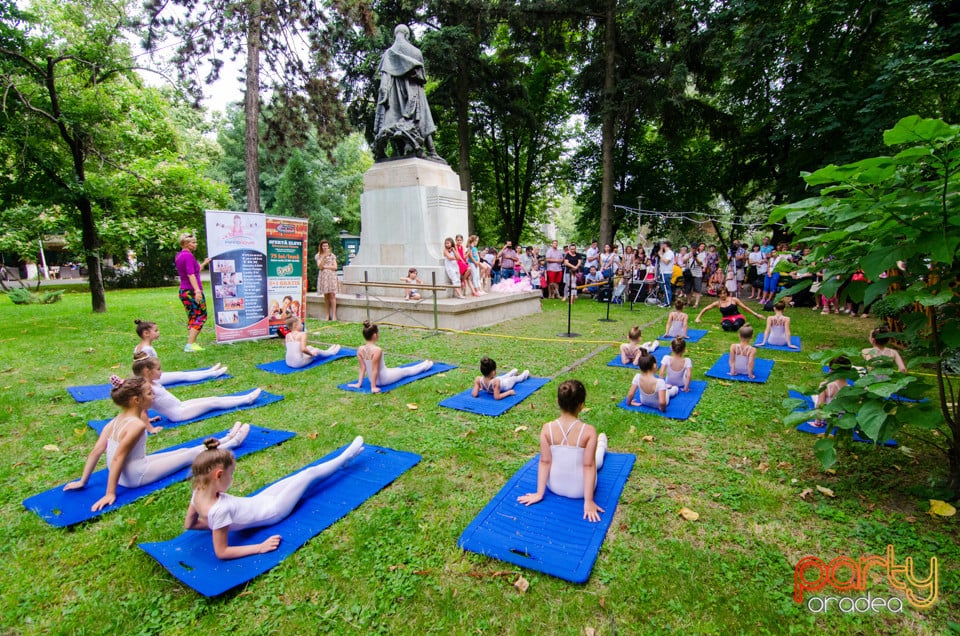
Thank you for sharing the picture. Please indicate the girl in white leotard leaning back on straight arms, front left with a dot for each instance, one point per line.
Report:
(124, 442)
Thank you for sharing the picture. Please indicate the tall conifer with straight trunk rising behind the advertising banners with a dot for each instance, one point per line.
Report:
(287, 42)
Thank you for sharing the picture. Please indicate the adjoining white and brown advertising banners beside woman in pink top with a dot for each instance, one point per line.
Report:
(252, 256)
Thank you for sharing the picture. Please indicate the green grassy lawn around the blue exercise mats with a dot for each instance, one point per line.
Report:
(393, 566)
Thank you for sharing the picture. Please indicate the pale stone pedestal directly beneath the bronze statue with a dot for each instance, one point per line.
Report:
(407, 209)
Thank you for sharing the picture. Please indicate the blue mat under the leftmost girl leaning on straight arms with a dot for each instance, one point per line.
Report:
(65, 508)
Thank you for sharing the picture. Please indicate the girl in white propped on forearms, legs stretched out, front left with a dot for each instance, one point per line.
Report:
(211, 508)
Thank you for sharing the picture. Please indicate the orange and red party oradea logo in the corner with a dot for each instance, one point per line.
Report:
(844, 574)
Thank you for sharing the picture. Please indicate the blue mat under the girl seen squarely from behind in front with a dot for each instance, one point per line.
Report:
(551, 536)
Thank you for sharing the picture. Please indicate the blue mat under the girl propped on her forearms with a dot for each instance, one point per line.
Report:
(190, 557)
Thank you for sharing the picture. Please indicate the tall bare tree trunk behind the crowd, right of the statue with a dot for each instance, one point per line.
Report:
(608, 123)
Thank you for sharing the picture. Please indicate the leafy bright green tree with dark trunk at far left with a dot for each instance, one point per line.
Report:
(79, 130)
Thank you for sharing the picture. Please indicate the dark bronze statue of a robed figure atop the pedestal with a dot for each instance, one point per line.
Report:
(403, 117)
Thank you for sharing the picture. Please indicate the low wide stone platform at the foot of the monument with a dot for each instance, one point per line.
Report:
(451, 313)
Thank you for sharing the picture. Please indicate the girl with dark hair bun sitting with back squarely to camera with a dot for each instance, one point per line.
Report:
(571, 453)
